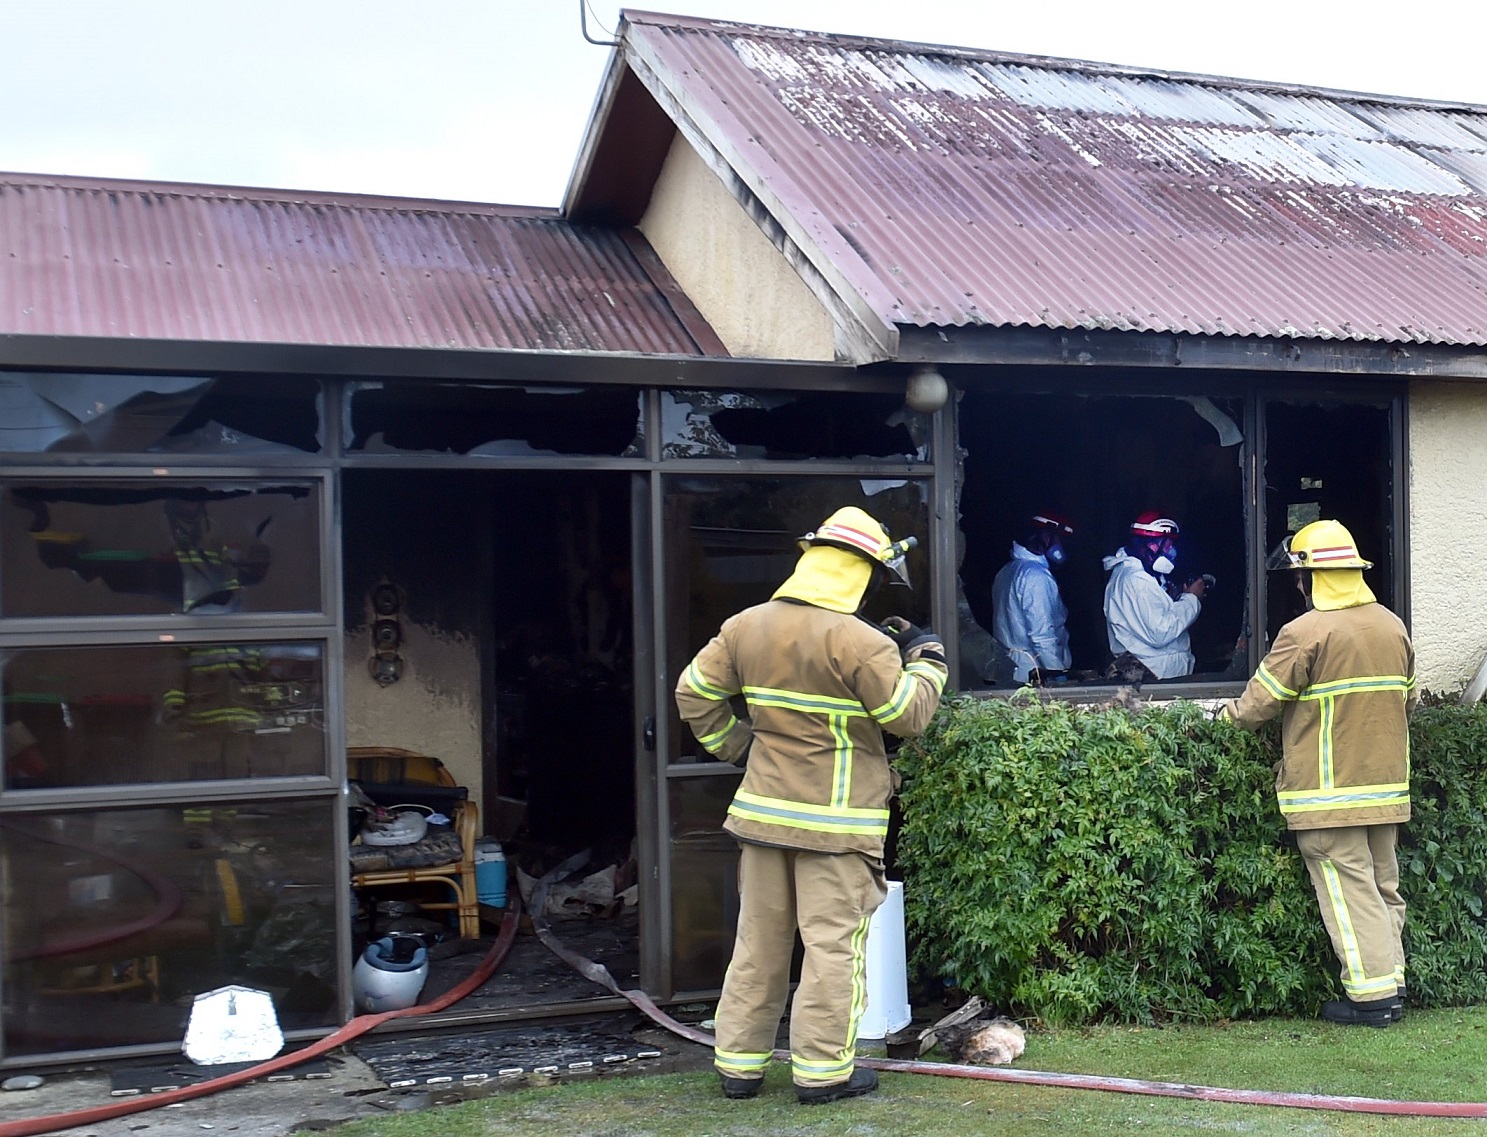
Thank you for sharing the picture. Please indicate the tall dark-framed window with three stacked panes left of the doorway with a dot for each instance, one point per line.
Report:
(88, 687)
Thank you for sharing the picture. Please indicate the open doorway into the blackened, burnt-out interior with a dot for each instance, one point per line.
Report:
(512, 664)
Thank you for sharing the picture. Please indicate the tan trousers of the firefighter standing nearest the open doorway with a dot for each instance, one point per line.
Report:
(830, 897)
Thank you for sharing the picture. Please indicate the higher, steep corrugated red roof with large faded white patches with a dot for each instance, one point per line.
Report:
(951, 187)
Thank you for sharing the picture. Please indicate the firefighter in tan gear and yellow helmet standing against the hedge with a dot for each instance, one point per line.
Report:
(1342, 676)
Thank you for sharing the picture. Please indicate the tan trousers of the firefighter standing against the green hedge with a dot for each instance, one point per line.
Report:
(1357, 879)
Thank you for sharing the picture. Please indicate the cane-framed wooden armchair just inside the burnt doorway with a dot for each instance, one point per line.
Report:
(383, 768)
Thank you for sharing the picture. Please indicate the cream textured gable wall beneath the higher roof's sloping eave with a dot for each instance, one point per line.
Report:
(729, 268)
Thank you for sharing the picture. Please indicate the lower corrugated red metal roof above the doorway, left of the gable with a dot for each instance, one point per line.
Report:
(158, 261)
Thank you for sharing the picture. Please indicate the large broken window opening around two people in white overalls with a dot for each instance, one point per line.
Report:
(1103, 461)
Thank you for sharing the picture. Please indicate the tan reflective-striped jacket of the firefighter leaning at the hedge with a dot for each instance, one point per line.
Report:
(1345, 684)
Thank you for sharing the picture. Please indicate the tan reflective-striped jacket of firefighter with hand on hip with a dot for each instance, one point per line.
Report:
(822, 687)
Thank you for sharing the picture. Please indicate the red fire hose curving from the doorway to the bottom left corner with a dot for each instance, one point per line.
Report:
(30, 1127)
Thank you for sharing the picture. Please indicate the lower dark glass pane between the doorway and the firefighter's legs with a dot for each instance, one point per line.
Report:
(704, 882)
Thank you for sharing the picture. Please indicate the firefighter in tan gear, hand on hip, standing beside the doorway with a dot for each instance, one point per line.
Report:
(811, 812)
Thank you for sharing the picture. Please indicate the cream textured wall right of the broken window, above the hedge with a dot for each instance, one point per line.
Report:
(1448, 531)
